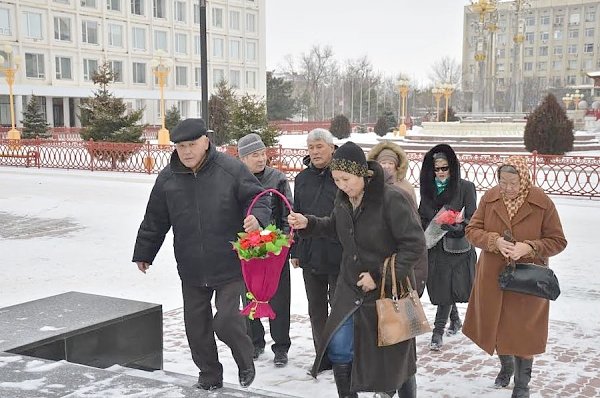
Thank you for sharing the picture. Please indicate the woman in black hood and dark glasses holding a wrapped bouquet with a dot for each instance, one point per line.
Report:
(452, 259)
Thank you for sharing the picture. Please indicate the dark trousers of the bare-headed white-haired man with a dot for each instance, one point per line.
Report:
(320, 290)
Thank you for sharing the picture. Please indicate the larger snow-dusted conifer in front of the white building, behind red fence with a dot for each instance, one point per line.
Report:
(104, 117)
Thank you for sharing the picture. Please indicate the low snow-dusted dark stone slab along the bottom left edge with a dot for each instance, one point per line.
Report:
(27, 377)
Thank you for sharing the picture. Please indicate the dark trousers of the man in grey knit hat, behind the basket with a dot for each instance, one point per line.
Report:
(280, 326)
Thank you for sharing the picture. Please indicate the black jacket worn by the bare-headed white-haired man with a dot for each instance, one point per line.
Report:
(314, 194)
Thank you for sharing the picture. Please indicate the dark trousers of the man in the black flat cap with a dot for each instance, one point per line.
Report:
(227, 324)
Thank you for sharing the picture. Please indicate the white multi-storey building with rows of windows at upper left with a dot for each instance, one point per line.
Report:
(62, 42)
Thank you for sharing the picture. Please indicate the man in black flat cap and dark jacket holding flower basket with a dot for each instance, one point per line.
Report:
(204, 196)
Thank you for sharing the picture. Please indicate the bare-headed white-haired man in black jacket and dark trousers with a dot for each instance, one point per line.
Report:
(319, 258)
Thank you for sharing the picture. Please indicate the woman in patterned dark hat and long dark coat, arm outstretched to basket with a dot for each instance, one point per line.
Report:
(372, 221)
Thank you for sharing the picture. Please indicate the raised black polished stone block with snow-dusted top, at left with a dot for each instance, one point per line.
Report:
(85, 328)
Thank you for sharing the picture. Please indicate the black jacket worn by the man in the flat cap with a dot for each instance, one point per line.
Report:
(206, 210)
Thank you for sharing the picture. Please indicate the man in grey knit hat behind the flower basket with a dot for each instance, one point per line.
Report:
(253, 154)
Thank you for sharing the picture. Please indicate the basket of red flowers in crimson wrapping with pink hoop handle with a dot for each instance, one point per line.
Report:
(262, 261)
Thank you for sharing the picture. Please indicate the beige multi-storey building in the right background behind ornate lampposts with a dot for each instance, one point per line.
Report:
(561, 43)
